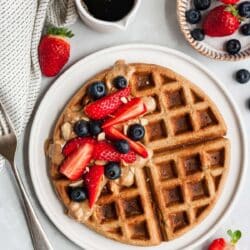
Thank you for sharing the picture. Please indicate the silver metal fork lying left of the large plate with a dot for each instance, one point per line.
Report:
(8, 145)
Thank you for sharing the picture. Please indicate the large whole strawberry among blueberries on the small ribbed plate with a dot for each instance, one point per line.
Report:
(221, 21)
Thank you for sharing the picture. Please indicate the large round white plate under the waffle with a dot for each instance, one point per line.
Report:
(69, 82)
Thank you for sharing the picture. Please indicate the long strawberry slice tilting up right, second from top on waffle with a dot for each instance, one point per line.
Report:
(128, 111)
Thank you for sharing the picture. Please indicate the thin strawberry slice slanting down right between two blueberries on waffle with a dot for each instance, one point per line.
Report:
(137, 147)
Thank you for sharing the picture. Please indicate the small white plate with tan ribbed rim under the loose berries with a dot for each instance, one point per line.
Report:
(212, 47)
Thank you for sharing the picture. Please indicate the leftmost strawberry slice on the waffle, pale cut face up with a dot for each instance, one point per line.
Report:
(74, 165)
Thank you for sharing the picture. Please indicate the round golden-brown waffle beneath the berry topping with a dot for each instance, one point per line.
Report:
(178, 187)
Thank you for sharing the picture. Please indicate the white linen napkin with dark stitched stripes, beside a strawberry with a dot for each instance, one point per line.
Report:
(20, 31)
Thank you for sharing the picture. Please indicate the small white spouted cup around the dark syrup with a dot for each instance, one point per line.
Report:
(106, 26)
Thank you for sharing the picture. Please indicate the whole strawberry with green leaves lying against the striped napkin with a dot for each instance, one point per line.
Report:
(54, 50)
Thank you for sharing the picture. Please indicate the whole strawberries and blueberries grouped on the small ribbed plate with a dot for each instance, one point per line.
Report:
(219, 19)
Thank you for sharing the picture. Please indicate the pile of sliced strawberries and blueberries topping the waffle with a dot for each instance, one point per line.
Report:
(92, 158)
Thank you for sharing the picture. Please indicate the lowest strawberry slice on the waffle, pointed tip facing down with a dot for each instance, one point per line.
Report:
(93, 180)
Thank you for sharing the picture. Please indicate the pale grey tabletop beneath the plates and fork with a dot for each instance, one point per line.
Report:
(155, 23)
